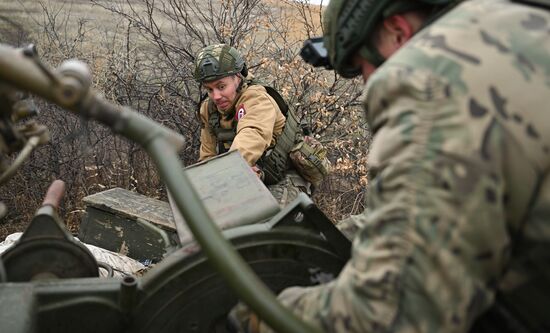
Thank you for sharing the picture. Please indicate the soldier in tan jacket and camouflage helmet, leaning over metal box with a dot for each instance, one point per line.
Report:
(240, 116)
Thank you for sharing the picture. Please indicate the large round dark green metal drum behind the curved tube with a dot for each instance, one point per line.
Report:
(184, 293)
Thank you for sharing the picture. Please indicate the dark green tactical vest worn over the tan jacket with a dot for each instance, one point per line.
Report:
(274, 162)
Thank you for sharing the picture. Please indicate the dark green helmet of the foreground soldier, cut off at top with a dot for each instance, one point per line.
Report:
(349, 25)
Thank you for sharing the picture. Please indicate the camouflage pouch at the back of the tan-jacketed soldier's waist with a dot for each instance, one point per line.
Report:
(309, 158)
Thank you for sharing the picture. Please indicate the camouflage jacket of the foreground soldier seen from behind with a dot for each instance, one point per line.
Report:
(458, 175)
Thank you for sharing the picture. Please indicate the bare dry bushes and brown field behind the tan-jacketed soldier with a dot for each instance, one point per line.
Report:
(141, 53)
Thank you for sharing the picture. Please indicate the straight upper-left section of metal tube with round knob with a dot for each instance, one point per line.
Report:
(71, 91)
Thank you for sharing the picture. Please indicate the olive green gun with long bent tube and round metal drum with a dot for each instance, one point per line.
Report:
(49, 282)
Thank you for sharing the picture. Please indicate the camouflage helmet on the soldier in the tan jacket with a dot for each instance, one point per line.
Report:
(217, 61)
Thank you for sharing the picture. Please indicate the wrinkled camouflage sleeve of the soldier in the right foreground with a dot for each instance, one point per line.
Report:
(433, 239)
